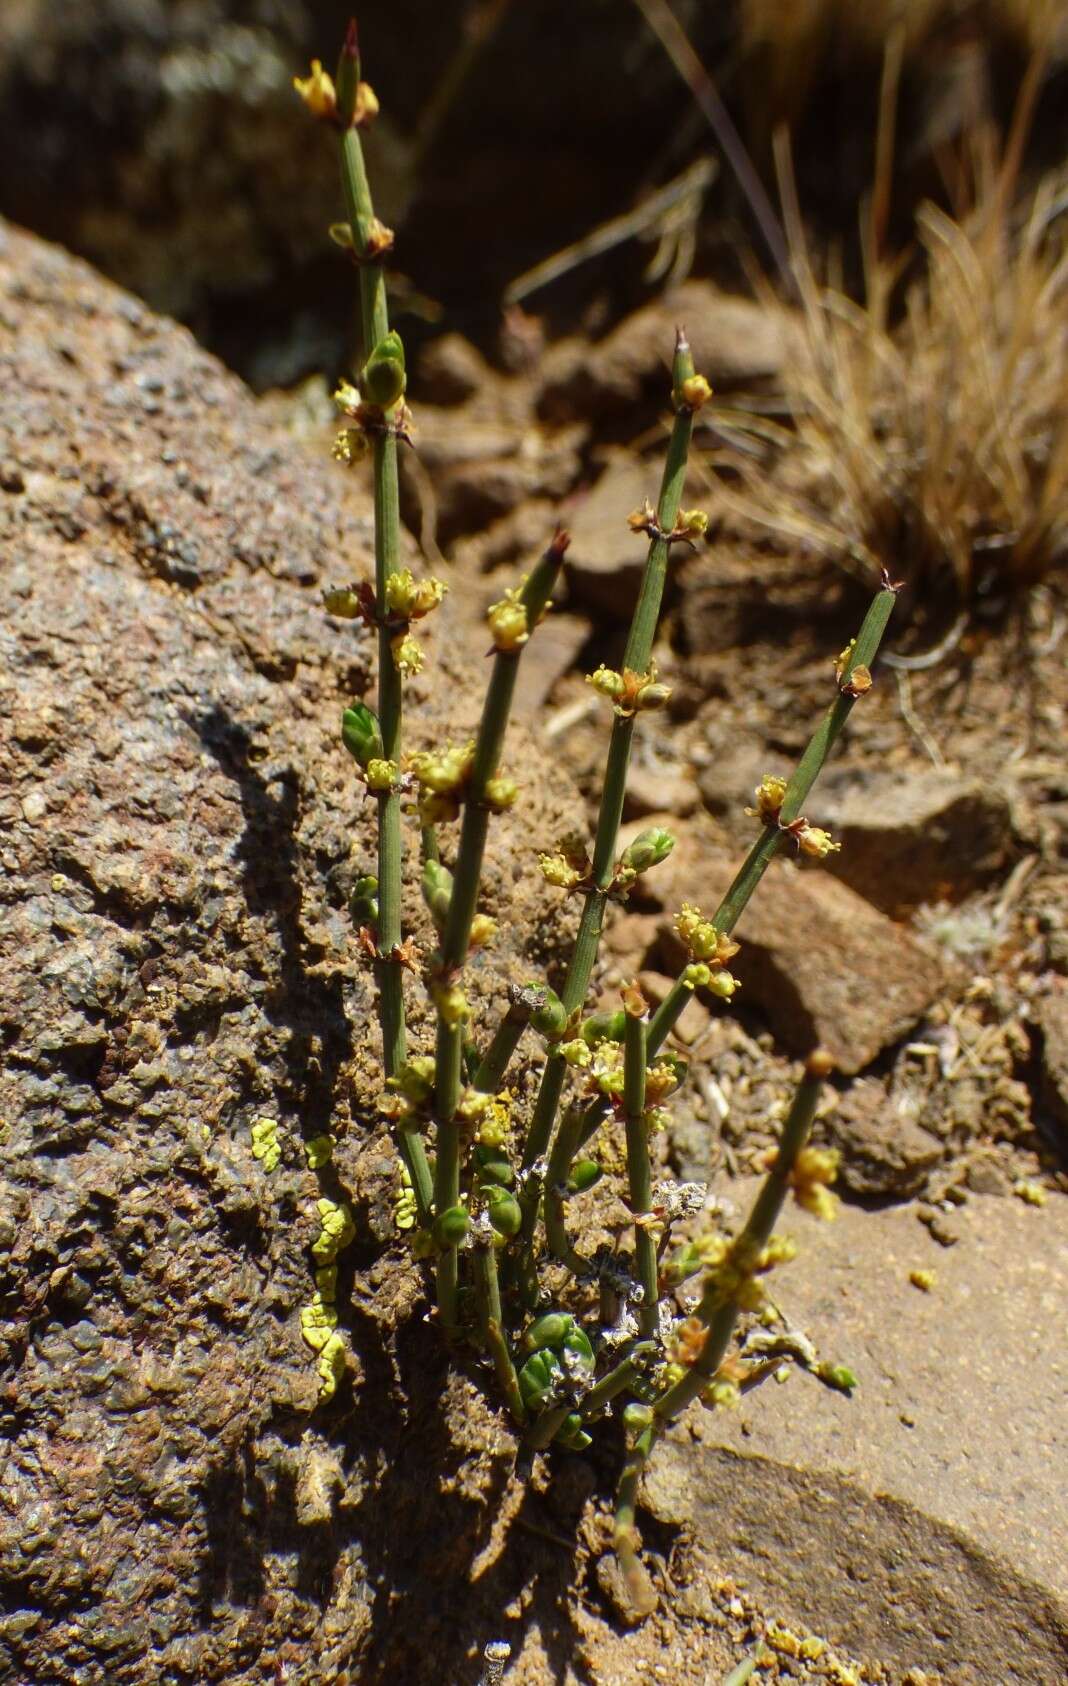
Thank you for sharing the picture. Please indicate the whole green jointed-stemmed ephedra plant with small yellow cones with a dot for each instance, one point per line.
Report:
(571, 1336)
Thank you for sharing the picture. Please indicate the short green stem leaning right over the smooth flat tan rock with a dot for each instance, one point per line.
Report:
(721, 1318)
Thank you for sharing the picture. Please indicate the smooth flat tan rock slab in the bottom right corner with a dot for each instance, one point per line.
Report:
(924, 1520)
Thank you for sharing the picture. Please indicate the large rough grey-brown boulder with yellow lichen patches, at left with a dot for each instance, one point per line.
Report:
(180, 832)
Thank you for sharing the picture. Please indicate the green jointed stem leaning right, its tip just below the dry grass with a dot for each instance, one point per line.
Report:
(772, 839)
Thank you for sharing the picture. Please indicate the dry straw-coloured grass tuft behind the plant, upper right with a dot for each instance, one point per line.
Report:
(936, 448)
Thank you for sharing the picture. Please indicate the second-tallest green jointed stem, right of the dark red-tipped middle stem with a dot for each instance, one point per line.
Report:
(637, 658)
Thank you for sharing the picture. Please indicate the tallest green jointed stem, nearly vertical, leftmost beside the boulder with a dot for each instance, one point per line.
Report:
(391, 697)
